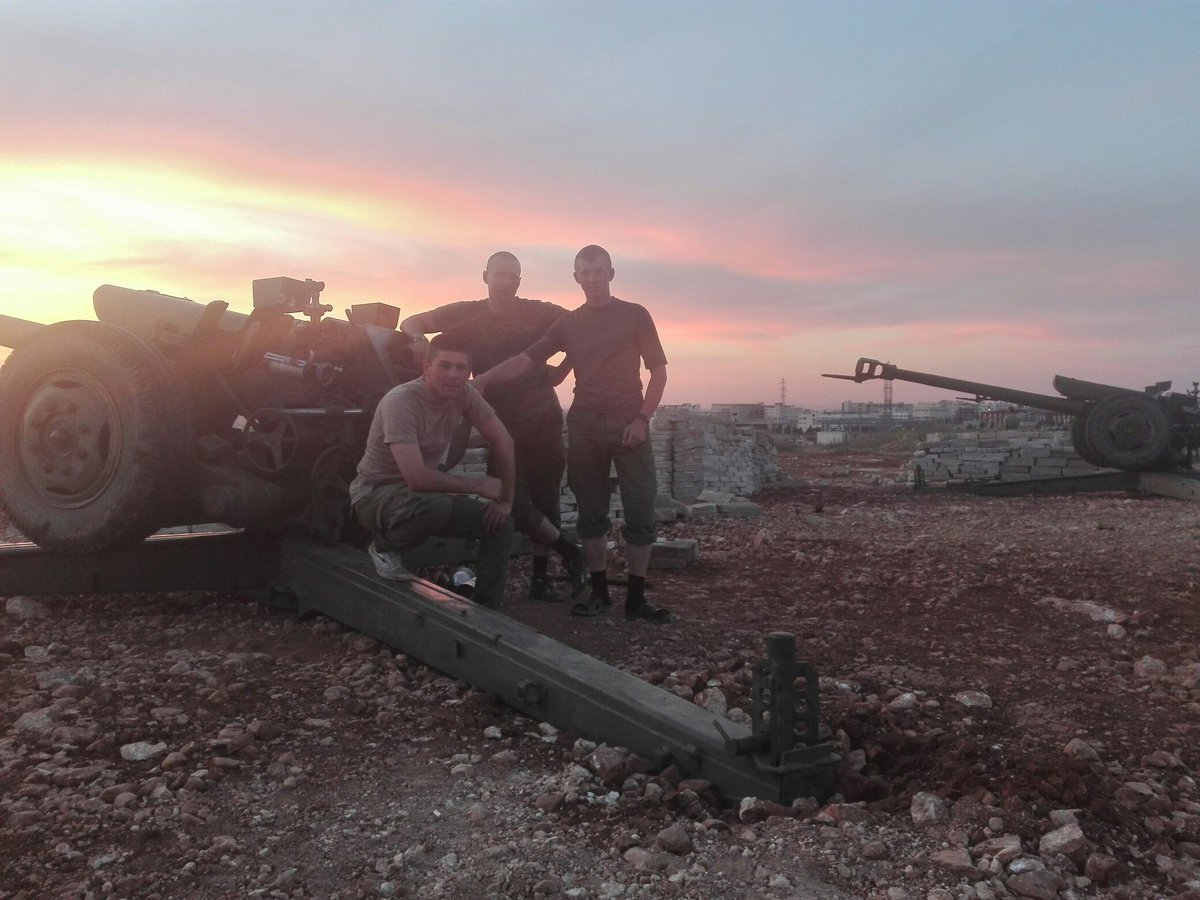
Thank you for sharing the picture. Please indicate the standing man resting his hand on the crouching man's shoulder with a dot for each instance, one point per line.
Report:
(607, 340)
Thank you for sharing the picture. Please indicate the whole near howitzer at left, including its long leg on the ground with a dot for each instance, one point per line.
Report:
(169, 412)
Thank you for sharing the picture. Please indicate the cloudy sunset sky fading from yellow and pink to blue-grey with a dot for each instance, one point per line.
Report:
(995, 191)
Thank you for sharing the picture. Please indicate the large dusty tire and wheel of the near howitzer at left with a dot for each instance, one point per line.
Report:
(134, 463)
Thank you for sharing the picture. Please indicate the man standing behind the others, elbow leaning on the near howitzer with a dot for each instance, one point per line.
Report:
(497, 328)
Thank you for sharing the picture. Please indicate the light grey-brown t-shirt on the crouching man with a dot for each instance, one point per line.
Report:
(412, 413)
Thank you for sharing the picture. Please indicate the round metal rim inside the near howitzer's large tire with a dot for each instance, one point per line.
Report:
(70, 440)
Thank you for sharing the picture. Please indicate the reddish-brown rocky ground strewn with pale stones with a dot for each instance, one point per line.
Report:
(1013, 686)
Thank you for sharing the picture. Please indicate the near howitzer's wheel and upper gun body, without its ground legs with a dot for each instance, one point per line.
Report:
(169, 412)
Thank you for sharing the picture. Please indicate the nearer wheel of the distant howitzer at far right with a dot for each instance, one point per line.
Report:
(1130, 431)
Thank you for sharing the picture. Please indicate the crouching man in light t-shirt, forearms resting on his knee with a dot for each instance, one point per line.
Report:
(401, 496)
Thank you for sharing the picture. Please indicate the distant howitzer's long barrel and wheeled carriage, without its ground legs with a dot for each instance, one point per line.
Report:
(1117, 428)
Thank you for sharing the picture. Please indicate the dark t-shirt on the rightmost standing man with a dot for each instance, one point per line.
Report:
(607, 346)
